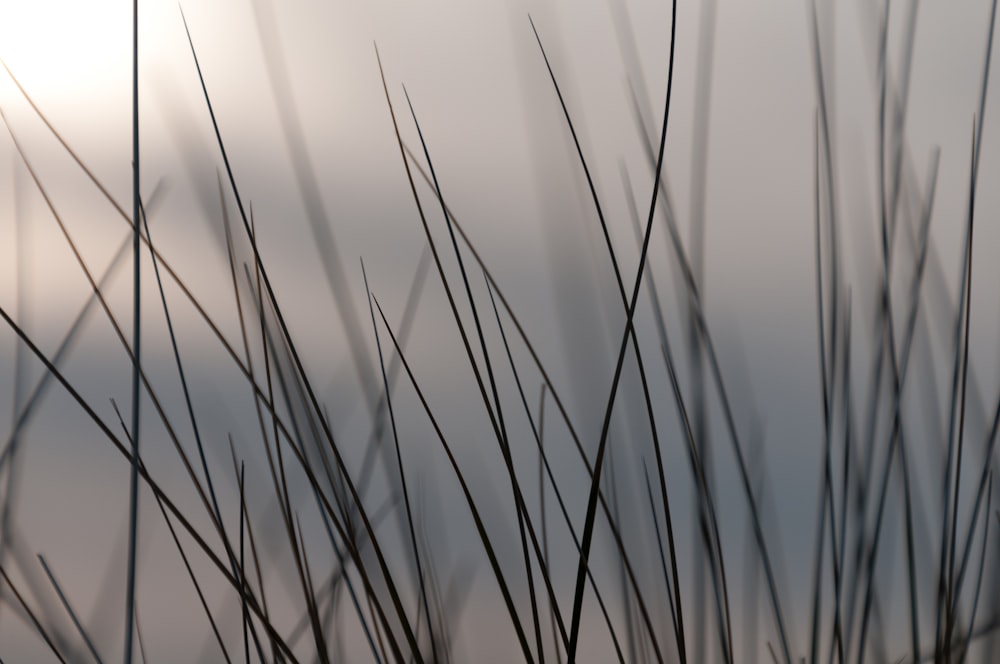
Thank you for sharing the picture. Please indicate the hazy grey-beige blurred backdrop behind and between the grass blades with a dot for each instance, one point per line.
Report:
(296, 91)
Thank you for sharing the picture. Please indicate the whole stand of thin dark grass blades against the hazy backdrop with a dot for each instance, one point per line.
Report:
(328, 552)
